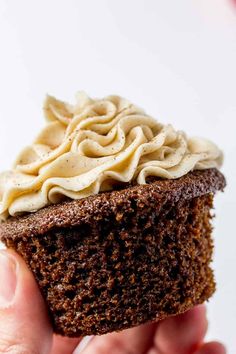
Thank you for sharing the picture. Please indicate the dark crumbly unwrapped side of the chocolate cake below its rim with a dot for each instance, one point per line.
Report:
(124, 270)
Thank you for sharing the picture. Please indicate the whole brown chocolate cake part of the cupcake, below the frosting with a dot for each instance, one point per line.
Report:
(124, 257)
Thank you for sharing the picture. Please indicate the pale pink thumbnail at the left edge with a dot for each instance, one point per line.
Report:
(8, 279)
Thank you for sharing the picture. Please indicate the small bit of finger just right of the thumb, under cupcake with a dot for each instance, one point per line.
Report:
(64, 345)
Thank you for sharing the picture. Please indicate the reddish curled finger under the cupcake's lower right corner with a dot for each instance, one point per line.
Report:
(182, 334)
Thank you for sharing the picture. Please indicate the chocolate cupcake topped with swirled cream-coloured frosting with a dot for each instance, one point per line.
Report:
(111, 210)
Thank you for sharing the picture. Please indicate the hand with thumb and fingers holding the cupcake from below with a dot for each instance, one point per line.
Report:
(25, 327)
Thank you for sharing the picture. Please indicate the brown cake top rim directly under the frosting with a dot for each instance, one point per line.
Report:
(74, 212)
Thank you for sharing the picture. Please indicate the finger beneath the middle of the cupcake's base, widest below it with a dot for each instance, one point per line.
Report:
(133, 341)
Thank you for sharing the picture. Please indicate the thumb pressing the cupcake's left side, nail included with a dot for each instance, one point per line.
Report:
(24, 324)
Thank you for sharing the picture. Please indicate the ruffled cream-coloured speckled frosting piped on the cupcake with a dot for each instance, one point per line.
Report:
(88, 147)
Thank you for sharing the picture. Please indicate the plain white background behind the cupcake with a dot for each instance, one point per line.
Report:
(177, 59)
